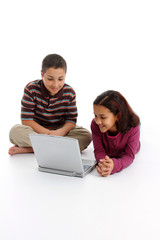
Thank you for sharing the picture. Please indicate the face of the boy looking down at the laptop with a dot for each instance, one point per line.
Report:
(53, 79)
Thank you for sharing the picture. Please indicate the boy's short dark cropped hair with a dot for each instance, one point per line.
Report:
(55, 61)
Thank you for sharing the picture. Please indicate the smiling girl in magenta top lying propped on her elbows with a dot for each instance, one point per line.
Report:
(115, 132)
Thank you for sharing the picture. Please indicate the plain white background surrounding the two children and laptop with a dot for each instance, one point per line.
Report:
(107, 45)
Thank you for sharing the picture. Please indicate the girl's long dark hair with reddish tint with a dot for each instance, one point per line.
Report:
(119, 106)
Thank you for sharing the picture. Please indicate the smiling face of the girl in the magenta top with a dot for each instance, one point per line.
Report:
(104, 118)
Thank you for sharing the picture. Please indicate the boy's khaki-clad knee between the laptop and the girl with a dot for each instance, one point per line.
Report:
(82, 135)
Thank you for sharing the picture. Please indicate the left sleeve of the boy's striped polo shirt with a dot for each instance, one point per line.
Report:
(27, 105)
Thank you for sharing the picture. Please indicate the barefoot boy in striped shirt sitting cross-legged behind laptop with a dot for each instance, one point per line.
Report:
(48, 107)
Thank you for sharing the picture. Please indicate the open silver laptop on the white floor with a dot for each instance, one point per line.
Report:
(60, 155)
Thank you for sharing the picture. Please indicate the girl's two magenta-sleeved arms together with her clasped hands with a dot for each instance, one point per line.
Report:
(114, 164)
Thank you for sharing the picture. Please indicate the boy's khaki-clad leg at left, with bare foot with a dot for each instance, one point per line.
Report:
(19, 136)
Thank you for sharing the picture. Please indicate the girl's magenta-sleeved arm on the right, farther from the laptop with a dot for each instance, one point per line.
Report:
(128, 155)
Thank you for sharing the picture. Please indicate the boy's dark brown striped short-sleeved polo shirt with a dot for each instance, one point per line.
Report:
(47, 110)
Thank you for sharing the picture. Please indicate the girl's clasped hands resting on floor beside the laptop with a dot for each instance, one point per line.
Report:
(105, 166)
